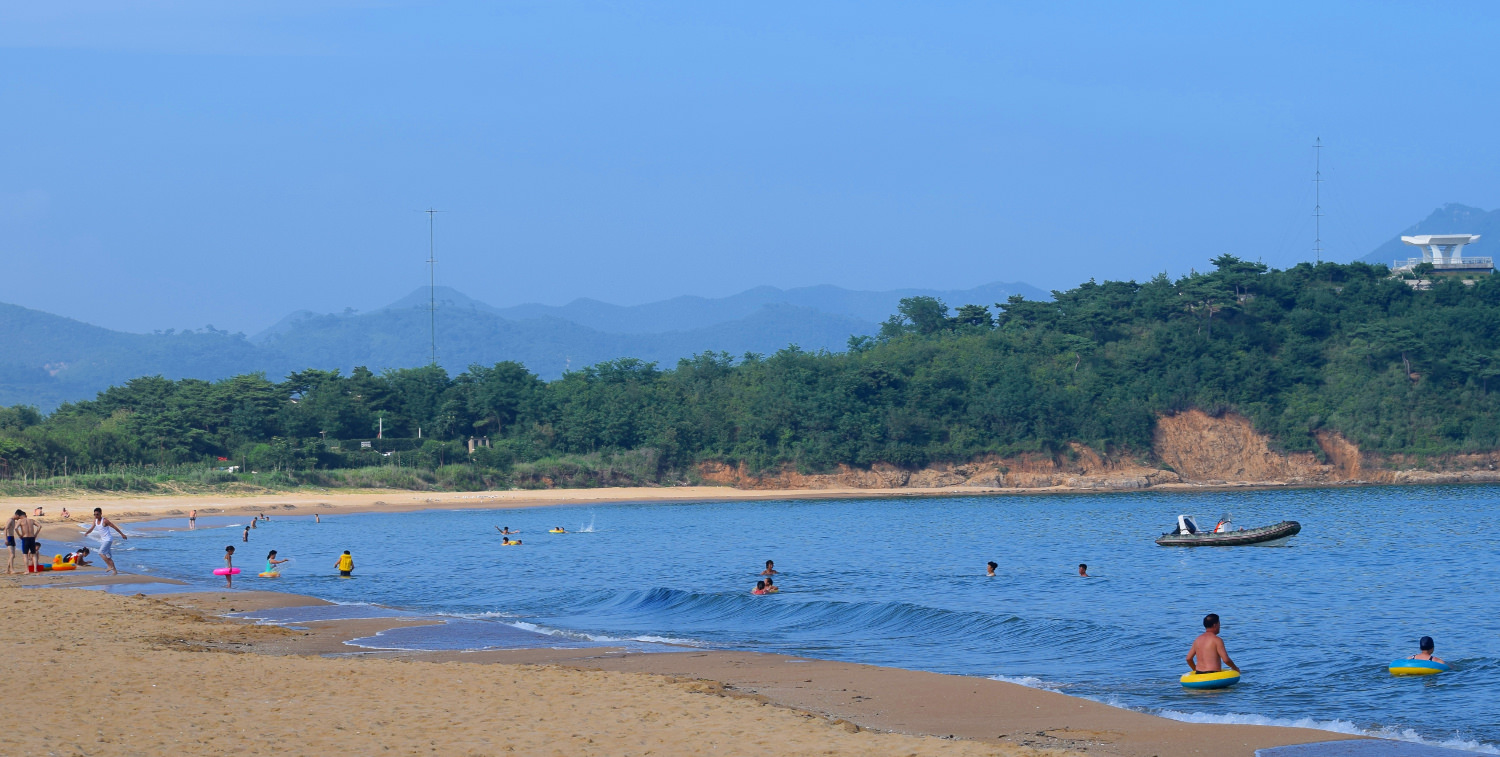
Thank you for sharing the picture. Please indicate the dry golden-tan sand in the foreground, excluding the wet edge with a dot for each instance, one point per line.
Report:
(110, 675)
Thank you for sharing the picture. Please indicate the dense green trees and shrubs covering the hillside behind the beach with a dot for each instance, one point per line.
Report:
(1316, 347)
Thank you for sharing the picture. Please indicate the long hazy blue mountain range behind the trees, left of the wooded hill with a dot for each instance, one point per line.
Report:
(47, 361)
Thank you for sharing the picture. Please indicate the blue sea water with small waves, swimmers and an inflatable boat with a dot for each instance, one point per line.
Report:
(901, 582)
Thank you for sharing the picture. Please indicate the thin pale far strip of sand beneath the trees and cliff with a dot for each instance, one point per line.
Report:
(344, 501)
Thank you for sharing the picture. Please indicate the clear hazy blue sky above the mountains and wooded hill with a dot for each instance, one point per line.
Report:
(184, 163)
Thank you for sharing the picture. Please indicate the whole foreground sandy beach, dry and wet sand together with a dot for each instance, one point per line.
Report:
(166, 674)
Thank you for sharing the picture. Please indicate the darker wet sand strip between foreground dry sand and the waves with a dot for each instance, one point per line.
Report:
(938, 710)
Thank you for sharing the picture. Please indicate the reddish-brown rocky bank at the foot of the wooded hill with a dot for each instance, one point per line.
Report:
(1189, 450)
